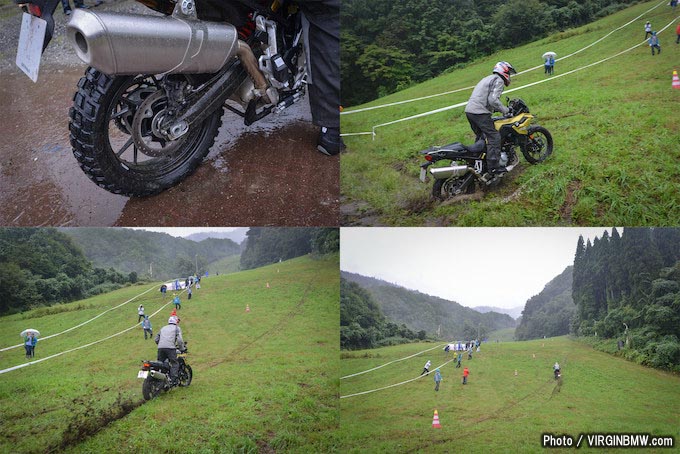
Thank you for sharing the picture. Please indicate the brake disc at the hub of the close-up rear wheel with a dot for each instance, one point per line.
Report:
(146, 132)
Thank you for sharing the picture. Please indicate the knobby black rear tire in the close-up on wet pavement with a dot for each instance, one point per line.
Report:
(101, 121)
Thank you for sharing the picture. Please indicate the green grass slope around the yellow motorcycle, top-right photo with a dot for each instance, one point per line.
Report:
(614, 125)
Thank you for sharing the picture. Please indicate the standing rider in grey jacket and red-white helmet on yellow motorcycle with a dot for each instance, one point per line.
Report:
(485, 100)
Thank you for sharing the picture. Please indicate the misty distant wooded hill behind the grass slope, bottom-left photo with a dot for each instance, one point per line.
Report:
(140, 251)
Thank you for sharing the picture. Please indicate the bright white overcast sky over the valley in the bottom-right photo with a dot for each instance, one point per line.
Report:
(473, 266)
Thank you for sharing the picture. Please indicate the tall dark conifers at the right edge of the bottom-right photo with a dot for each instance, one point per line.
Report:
(628, 287)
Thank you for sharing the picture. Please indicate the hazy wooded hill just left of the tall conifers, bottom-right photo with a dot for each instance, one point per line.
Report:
(550, 312)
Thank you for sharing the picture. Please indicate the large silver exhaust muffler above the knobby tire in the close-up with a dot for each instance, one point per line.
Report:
(127, 44)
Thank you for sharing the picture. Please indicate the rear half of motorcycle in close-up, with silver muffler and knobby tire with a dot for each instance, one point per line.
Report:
(151, 102)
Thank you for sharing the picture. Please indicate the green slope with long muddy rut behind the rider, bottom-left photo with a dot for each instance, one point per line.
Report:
(263, 381)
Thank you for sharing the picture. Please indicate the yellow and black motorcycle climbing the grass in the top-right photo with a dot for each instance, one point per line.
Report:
(468, 167)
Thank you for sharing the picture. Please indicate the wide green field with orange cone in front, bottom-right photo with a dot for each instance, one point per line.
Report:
(498, 411)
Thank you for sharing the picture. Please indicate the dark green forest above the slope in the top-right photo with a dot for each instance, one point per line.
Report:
(387, 46)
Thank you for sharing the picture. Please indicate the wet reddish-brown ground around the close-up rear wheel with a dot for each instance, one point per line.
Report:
(267, 174)
